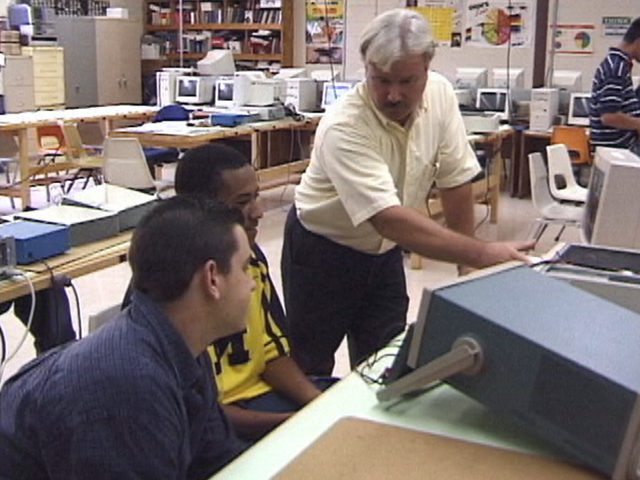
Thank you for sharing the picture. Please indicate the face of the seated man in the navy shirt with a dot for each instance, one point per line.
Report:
(236, 287)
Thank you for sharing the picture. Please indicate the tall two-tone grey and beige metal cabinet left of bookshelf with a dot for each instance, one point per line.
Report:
(102, 60)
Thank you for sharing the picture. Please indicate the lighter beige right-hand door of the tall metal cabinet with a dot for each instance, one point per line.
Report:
(118, 53)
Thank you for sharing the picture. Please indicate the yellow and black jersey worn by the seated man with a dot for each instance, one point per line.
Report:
(239, 360)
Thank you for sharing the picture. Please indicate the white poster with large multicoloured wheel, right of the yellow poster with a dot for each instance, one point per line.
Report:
(496, 23)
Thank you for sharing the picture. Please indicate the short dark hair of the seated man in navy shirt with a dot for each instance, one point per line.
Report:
(175, 239)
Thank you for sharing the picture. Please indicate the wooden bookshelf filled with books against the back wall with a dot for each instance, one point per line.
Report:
(259, 32)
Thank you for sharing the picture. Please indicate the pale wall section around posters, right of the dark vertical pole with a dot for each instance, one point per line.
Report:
(590, 12)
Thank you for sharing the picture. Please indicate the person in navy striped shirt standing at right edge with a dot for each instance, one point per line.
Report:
(614, 105)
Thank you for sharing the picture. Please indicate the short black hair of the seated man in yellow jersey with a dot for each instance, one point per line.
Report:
(200, 170)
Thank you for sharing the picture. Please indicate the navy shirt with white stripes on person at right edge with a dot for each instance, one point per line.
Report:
(612, 91)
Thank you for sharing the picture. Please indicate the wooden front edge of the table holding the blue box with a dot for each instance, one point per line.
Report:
(76, 262)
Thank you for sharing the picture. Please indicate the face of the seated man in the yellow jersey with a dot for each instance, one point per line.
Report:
(240, 190)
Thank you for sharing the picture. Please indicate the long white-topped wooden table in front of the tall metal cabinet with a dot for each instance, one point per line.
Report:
(19, 123)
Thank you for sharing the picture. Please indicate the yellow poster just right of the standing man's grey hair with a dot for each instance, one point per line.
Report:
(445, 17)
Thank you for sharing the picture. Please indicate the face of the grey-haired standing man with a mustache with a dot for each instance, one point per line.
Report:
(398, 92)
